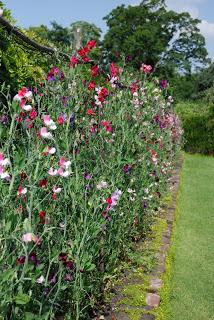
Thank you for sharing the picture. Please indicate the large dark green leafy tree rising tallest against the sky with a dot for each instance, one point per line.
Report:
(151, 34)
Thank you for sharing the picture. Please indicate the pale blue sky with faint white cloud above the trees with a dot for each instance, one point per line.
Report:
(35, 12)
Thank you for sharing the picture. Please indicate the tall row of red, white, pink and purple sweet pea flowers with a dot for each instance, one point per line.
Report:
(83, 162)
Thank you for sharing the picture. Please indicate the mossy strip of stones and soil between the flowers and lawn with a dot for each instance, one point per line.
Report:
(151, 290)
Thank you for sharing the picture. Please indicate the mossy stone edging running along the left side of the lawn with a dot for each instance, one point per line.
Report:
(152, 298)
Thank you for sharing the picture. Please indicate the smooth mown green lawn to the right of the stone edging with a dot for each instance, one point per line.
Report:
(192, 280)
